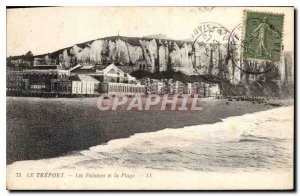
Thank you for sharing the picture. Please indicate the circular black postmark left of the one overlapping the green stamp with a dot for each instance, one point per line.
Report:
(211, 53)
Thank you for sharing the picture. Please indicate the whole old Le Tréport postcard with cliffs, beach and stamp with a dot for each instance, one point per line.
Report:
(150, 98)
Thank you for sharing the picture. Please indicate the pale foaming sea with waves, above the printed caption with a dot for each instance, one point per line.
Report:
(261, 141)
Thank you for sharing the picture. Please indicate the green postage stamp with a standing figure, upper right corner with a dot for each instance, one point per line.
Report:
(262, 35)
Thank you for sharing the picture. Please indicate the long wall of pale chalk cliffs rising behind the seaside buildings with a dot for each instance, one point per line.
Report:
(156, 54)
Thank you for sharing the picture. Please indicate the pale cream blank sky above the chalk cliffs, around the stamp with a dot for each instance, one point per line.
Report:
(44, 30)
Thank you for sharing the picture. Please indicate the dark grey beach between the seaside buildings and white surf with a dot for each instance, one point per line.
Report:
(47, 128)
